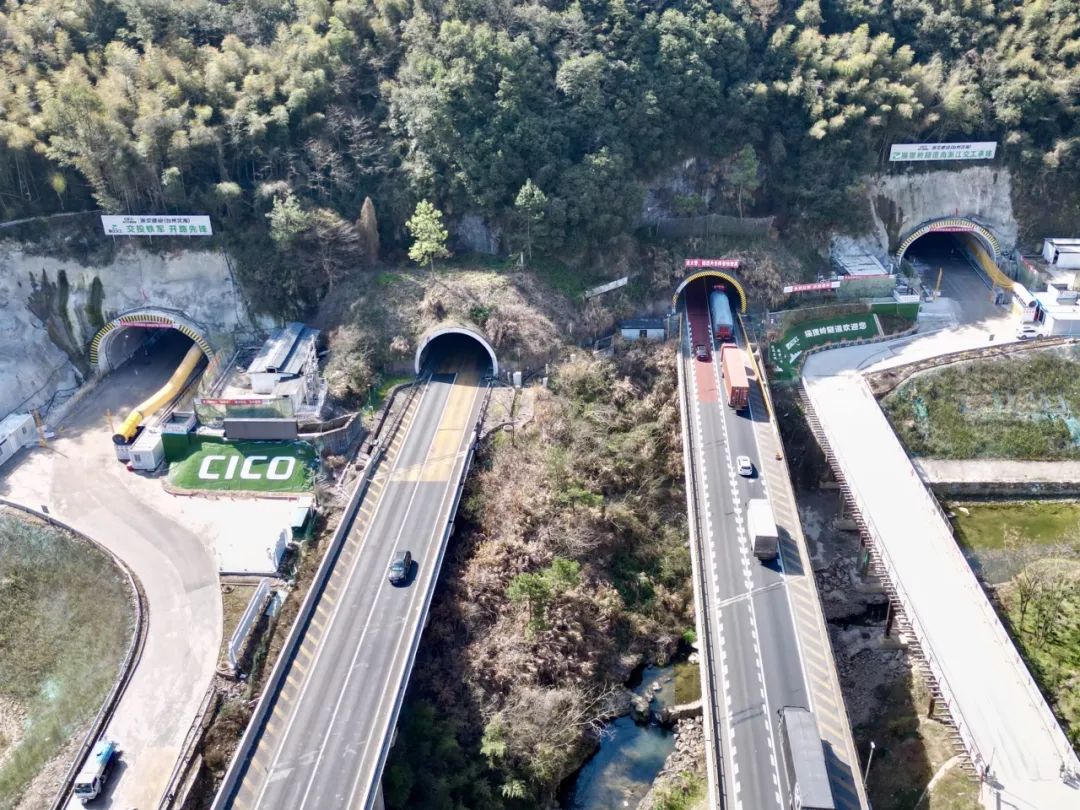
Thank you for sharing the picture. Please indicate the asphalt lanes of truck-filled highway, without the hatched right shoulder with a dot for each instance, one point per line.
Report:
(760, 663)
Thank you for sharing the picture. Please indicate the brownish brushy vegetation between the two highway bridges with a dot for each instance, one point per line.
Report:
(572, 569)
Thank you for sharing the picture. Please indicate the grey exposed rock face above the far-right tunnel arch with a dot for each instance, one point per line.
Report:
(902, 202)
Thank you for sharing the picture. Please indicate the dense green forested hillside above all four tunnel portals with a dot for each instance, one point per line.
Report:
(227, 106)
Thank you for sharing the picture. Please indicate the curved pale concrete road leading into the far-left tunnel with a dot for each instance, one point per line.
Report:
(80, 482)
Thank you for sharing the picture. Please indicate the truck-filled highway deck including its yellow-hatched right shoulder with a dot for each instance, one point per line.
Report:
(766, 617)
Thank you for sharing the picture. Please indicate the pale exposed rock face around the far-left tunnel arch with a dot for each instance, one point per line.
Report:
(50, 310)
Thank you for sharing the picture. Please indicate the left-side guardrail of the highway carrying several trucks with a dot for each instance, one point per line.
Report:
(705, 626)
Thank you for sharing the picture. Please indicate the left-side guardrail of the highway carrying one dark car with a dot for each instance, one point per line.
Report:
(245, 750)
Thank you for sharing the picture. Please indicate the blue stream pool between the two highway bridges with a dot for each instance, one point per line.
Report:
(630, 758)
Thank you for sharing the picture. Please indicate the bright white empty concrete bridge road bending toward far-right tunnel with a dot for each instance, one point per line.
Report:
(1000, 710)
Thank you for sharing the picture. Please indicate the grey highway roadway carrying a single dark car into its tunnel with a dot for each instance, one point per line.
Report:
(328, 737)
